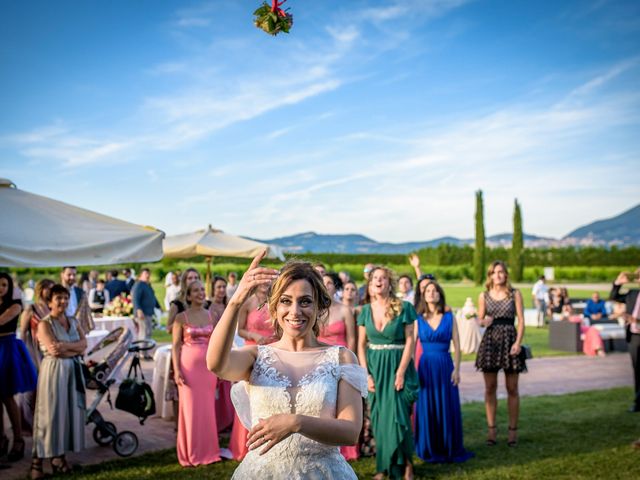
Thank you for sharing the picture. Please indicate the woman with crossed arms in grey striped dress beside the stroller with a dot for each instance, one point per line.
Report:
(59, 417)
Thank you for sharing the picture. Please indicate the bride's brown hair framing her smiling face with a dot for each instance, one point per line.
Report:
(300, 270)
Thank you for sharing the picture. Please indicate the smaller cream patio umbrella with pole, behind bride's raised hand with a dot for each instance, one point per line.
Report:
(215, 243)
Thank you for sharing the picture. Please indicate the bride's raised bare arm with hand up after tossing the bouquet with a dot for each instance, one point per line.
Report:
(221, 359)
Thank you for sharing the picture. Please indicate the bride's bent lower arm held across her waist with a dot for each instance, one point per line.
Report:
(342, 430)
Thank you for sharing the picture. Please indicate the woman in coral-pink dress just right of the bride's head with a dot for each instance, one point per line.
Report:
(339, 329)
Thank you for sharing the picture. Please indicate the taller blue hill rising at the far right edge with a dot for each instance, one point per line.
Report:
(623, 229)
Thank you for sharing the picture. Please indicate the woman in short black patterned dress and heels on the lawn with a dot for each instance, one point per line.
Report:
(500, 348)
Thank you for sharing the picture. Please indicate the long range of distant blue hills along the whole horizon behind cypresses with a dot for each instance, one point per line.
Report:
(622, 230)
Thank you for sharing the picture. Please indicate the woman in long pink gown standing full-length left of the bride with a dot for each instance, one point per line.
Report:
(197, 429)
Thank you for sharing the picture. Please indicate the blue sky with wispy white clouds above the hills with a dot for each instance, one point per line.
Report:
(380, 118)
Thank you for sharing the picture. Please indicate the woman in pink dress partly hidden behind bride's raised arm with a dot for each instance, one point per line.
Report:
(255, 326)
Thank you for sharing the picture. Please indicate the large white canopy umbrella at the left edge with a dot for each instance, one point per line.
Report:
(40, 232)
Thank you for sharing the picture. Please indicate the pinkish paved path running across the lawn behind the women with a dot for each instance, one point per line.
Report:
(546, 376)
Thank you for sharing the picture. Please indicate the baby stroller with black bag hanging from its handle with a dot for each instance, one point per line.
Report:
(117, 348)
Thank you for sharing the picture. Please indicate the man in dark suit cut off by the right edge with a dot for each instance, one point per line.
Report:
(631, 299)
